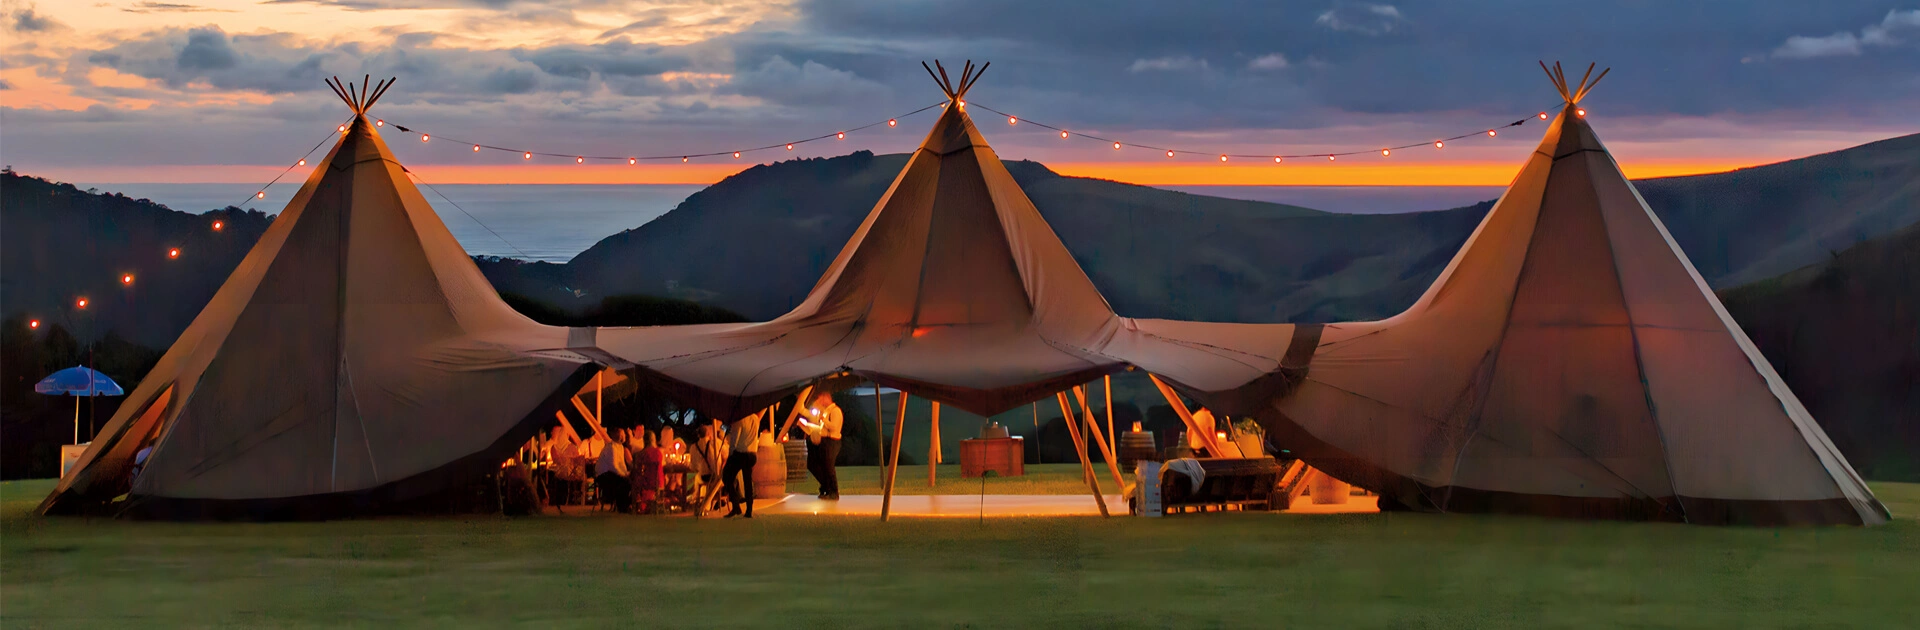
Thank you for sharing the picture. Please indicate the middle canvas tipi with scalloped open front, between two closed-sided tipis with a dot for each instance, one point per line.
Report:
(953, 289)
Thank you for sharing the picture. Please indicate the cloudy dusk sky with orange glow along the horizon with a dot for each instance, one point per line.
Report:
(229, 91)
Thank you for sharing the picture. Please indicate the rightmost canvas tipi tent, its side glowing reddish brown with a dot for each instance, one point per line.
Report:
(1570, 362)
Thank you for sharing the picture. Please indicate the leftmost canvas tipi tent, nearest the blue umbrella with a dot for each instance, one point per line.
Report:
(354, 360)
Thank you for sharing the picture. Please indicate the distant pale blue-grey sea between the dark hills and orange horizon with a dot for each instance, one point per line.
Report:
(558, 222)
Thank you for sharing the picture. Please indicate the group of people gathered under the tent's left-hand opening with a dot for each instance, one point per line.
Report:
(652, 472)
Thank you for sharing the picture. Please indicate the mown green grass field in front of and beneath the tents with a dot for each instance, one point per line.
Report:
(1224, 569)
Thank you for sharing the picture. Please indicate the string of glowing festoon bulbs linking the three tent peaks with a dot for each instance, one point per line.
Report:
(896, 122)
